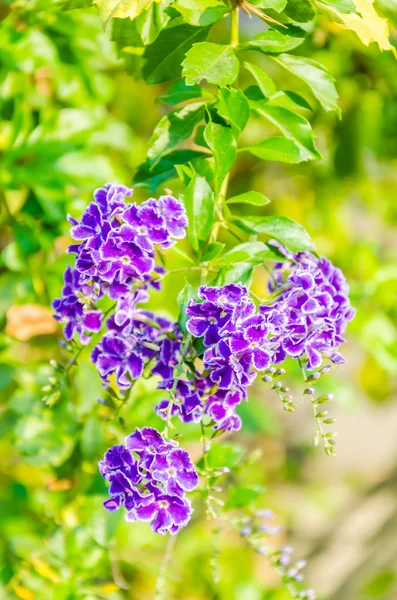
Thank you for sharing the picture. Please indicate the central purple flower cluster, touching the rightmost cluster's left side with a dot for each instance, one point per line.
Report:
(238, 343)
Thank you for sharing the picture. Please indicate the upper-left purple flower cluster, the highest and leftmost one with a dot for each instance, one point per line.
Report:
(117, 244)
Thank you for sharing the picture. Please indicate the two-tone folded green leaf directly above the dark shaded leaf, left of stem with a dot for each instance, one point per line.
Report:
(173, 129)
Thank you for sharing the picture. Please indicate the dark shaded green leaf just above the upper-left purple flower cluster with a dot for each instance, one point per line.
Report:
(152, 177)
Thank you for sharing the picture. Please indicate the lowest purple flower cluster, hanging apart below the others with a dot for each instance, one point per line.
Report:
(150, 477)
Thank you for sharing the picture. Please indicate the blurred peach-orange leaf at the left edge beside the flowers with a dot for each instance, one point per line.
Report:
(29, 320)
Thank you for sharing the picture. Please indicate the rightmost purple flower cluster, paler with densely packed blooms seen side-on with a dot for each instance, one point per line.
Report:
(313, 296)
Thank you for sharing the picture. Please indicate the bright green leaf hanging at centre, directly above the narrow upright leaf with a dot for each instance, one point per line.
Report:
(223, 146)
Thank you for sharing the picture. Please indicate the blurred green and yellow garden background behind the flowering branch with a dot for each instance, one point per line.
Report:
(72, 119)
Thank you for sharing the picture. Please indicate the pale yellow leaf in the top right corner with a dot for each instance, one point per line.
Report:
(369, 27)
